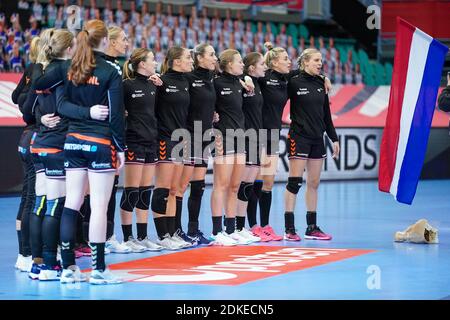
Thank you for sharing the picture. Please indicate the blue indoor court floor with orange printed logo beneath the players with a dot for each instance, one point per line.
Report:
(357, 215)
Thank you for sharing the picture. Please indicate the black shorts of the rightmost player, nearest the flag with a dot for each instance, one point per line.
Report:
(304, 148)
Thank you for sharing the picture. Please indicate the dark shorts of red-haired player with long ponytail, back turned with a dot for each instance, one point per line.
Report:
(89, 152)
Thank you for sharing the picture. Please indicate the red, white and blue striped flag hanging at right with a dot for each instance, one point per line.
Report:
(418, 63)
